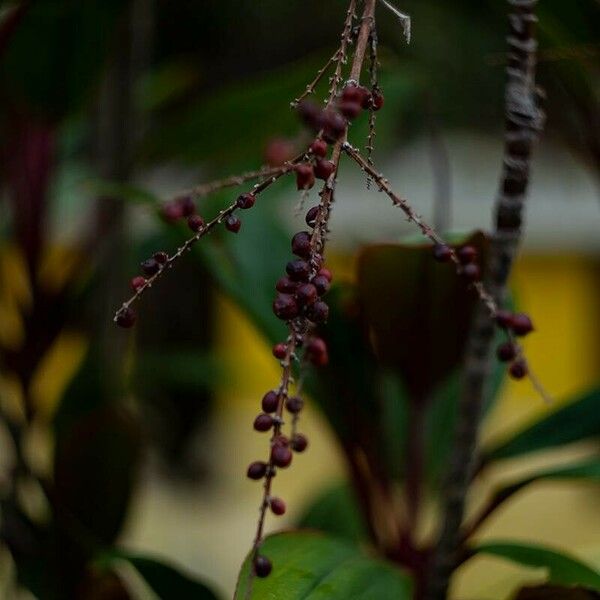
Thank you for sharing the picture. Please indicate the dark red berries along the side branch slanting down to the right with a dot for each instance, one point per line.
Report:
(520, 324)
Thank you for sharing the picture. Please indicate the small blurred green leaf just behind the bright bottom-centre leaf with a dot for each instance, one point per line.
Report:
(336, 512)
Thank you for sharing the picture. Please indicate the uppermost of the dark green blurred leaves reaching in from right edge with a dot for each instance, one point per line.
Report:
(578, 420)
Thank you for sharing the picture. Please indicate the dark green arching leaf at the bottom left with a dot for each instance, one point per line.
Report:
(166, 581)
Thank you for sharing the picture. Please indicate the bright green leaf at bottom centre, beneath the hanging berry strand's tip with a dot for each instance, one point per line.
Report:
(315, 567)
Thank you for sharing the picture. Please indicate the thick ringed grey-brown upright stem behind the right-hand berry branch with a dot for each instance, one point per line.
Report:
(523, 124)
